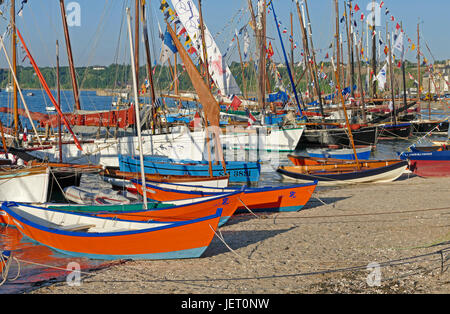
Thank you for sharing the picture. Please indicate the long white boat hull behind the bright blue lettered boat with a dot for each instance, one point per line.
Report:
(177, 145)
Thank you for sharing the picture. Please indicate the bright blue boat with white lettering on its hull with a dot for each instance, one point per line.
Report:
(243, 172)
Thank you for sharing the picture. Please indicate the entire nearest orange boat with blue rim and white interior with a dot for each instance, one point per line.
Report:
(107, 238)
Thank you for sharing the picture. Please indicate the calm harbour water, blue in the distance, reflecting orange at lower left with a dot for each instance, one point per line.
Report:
(40, 265)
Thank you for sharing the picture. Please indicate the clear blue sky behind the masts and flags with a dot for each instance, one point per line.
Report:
(101, 36)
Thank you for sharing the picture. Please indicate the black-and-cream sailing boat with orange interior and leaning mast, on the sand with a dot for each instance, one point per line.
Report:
(343, 172)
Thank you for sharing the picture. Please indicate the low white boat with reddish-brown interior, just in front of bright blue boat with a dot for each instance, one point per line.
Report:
(122, 178)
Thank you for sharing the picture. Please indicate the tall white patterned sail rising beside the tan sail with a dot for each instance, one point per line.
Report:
(220, 73)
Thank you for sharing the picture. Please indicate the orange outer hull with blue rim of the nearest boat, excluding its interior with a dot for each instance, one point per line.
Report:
(177, 240)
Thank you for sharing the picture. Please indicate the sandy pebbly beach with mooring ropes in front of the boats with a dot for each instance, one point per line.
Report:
(403, 227)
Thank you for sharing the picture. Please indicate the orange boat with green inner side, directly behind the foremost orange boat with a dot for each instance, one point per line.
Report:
(180, 210)
